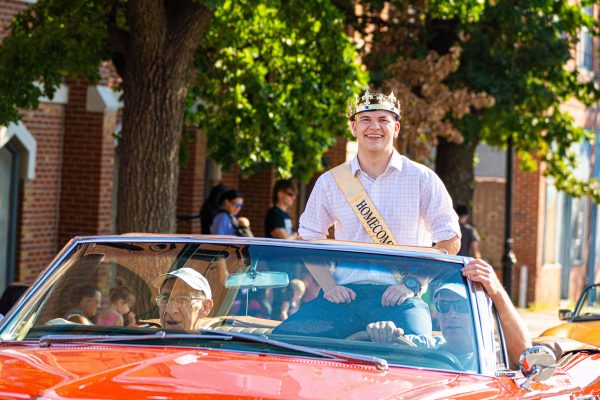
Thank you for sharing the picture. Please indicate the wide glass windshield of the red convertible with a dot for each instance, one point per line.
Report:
(112, 290)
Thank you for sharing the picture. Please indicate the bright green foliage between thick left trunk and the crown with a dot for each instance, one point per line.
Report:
(275, 85)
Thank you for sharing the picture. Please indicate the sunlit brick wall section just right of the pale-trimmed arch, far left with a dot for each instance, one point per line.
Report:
(38, 224)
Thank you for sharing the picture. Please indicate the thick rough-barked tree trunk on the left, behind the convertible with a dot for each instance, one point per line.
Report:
(156, 64)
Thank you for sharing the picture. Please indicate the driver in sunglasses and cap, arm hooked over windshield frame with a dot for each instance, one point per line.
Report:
(453, 313)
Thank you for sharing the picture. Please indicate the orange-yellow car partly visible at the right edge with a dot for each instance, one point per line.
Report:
(583, 323)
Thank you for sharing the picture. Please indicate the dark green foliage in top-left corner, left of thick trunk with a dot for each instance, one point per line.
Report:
(49, 41)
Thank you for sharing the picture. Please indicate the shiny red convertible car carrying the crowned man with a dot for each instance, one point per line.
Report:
(156, 317)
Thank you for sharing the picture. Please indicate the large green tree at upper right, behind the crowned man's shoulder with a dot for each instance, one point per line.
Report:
(517, 52)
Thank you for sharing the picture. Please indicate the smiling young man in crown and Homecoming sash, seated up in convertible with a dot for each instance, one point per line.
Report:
(382, 197)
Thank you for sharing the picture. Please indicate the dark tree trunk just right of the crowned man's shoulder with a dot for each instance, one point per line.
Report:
(454, 164)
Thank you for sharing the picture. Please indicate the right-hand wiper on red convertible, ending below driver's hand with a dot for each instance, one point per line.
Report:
(379, 363)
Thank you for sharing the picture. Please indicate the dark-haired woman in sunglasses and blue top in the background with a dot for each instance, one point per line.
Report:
(225, 221)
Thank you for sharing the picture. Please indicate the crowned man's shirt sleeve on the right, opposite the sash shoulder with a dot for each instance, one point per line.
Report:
(437, 210)
